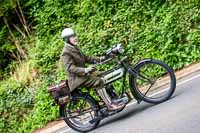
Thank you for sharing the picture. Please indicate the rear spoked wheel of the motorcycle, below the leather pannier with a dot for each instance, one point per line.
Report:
(79, 112)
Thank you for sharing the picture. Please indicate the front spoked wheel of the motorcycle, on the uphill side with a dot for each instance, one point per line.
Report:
(154, 81)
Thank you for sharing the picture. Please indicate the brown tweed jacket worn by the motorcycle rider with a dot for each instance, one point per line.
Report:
(74, 62)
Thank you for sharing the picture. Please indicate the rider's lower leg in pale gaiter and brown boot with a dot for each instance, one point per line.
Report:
(106, 98)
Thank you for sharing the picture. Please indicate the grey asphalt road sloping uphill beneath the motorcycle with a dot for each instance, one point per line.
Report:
(180, 114)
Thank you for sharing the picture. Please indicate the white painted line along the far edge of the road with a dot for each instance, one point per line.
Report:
(180, 83)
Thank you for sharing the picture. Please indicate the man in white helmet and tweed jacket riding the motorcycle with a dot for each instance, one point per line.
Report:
(79, 75)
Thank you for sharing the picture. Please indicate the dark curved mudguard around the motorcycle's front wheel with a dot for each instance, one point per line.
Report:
(132, 76)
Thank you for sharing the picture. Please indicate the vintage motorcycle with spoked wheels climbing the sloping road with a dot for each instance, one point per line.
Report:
(149, 80)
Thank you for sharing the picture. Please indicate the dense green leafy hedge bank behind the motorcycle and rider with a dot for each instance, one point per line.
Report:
(168, 30)
